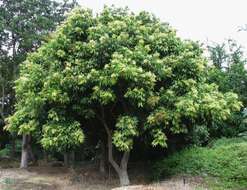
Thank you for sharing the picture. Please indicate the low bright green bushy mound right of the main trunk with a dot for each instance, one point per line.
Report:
(225, 159)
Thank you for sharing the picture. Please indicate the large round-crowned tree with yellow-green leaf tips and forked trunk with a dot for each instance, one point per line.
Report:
(130, 75)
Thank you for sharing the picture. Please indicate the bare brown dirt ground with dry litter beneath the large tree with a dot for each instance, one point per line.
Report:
(88, 178)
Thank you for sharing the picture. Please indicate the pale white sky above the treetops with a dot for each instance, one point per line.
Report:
(212, 20)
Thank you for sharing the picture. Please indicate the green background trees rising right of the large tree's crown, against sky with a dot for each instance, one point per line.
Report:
(229, 68)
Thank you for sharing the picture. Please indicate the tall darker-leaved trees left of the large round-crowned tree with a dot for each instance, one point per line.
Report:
(24, 24)
